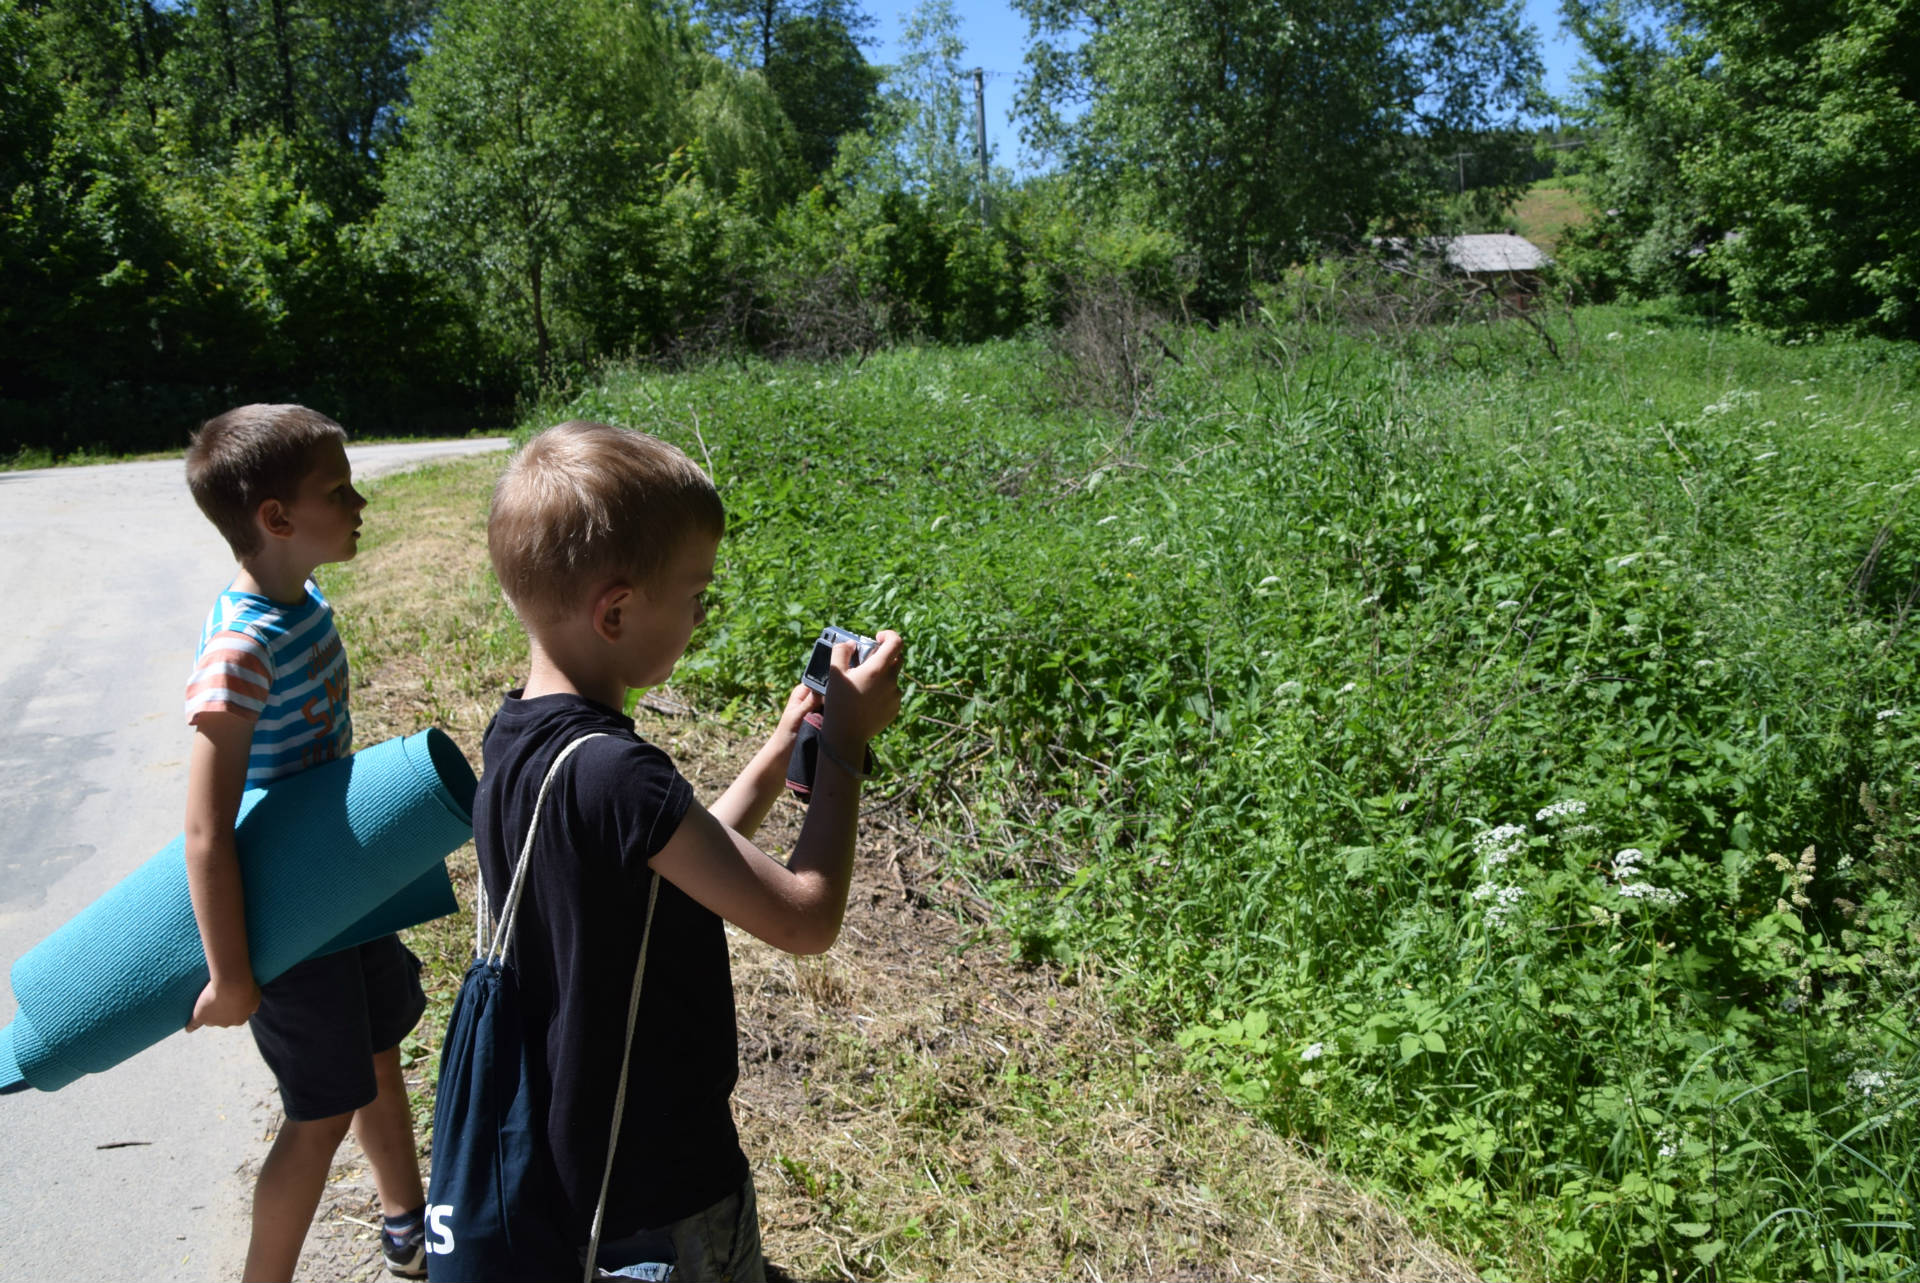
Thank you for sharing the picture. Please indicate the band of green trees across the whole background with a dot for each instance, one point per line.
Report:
(414, 210)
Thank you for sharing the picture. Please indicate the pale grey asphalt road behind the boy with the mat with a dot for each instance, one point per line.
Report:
(107, 575)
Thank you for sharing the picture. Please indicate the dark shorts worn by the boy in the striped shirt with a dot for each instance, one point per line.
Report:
(322, 1023)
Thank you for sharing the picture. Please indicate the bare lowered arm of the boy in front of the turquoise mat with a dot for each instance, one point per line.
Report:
(216, 779)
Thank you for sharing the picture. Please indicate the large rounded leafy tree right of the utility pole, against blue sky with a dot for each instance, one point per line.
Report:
(1262, 130)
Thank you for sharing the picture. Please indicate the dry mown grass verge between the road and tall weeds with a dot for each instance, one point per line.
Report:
(915, 1105)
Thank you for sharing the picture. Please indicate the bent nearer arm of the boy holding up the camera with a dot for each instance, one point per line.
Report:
(798, 906)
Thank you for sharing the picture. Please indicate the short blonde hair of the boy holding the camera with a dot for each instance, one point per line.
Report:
(585, 502)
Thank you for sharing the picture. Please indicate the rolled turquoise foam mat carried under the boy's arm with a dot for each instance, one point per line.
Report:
(329, 858)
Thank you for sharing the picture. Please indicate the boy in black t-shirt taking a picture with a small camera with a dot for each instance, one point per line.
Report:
(604, 543)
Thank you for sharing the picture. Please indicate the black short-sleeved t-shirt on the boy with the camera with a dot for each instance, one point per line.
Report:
(612, 810)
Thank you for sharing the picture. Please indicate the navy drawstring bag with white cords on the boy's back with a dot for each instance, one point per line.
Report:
(494, 1198)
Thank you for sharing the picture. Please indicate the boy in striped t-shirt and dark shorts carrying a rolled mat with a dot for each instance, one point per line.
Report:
(270, 698)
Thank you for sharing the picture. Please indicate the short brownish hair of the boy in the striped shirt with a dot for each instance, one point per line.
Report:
(249, 456)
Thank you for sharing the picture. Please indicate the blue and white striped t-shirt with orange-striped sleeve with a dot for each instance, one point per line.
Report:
(283, 667)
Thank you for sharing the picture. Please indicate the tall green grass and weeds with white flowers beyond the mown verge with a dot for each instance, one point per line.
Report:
(1232, 698)
